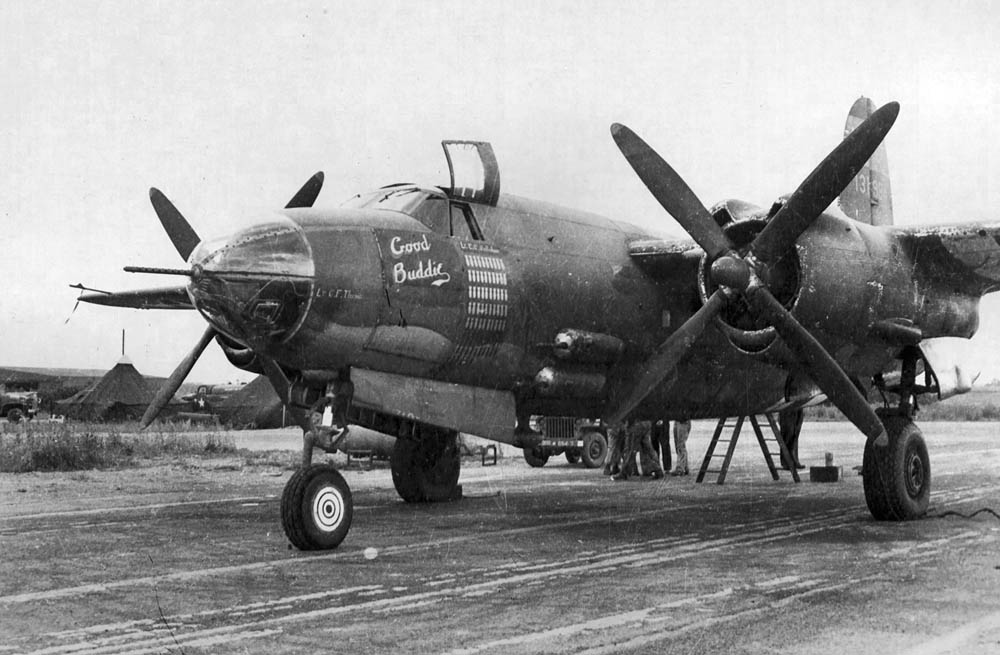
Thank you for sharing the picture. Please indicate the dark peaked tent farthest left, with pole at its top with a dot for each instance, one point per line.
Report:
(122, 394)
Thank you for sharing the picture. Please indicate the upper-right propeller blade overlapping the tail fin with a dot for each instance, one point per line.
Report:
(823, 185)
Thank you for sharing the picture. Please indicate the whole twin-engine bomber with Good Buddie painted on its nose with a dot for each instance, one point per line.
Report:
(463, 309)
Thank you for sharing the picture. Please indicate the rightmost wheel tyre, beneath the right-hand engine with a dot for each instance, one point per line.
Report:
(897, 477)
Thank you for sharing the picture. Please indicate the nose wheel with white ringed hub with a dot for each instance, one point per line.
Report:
(316, 508)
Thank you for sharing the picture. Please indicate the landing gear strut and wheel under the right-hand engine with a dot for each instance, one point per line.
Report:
(897, 475)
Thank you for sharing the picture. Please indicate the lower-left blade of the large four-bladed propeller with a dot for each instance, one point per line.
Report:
(666, 357)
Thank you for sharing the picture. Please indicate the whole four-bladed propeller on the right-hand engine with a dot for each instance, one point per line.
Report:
(743, 275)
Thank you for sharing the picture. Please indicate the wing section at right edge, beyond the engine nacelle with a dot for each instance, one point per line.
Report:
(967, 256)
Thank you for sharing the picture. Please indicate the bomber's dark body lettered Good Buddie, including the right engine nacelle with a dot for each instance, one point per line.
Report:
(412, 282)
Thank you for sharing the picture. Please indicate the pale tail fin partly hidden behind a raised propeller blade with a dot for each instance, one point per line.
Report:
(868, 198)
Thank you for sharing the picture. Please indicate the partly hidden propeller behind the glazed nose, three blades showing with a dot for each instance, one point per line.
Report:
(185, 240)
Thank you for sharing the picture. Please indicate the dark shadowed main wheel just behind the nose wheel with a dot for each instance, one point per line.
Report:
(425, 468)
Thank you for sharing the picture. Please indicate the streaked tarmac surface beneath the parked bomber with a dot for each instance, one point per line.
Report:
(189, 557)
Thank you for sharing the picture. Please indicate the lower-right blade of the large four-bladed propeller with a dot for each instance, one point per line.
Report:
(821, 367)
